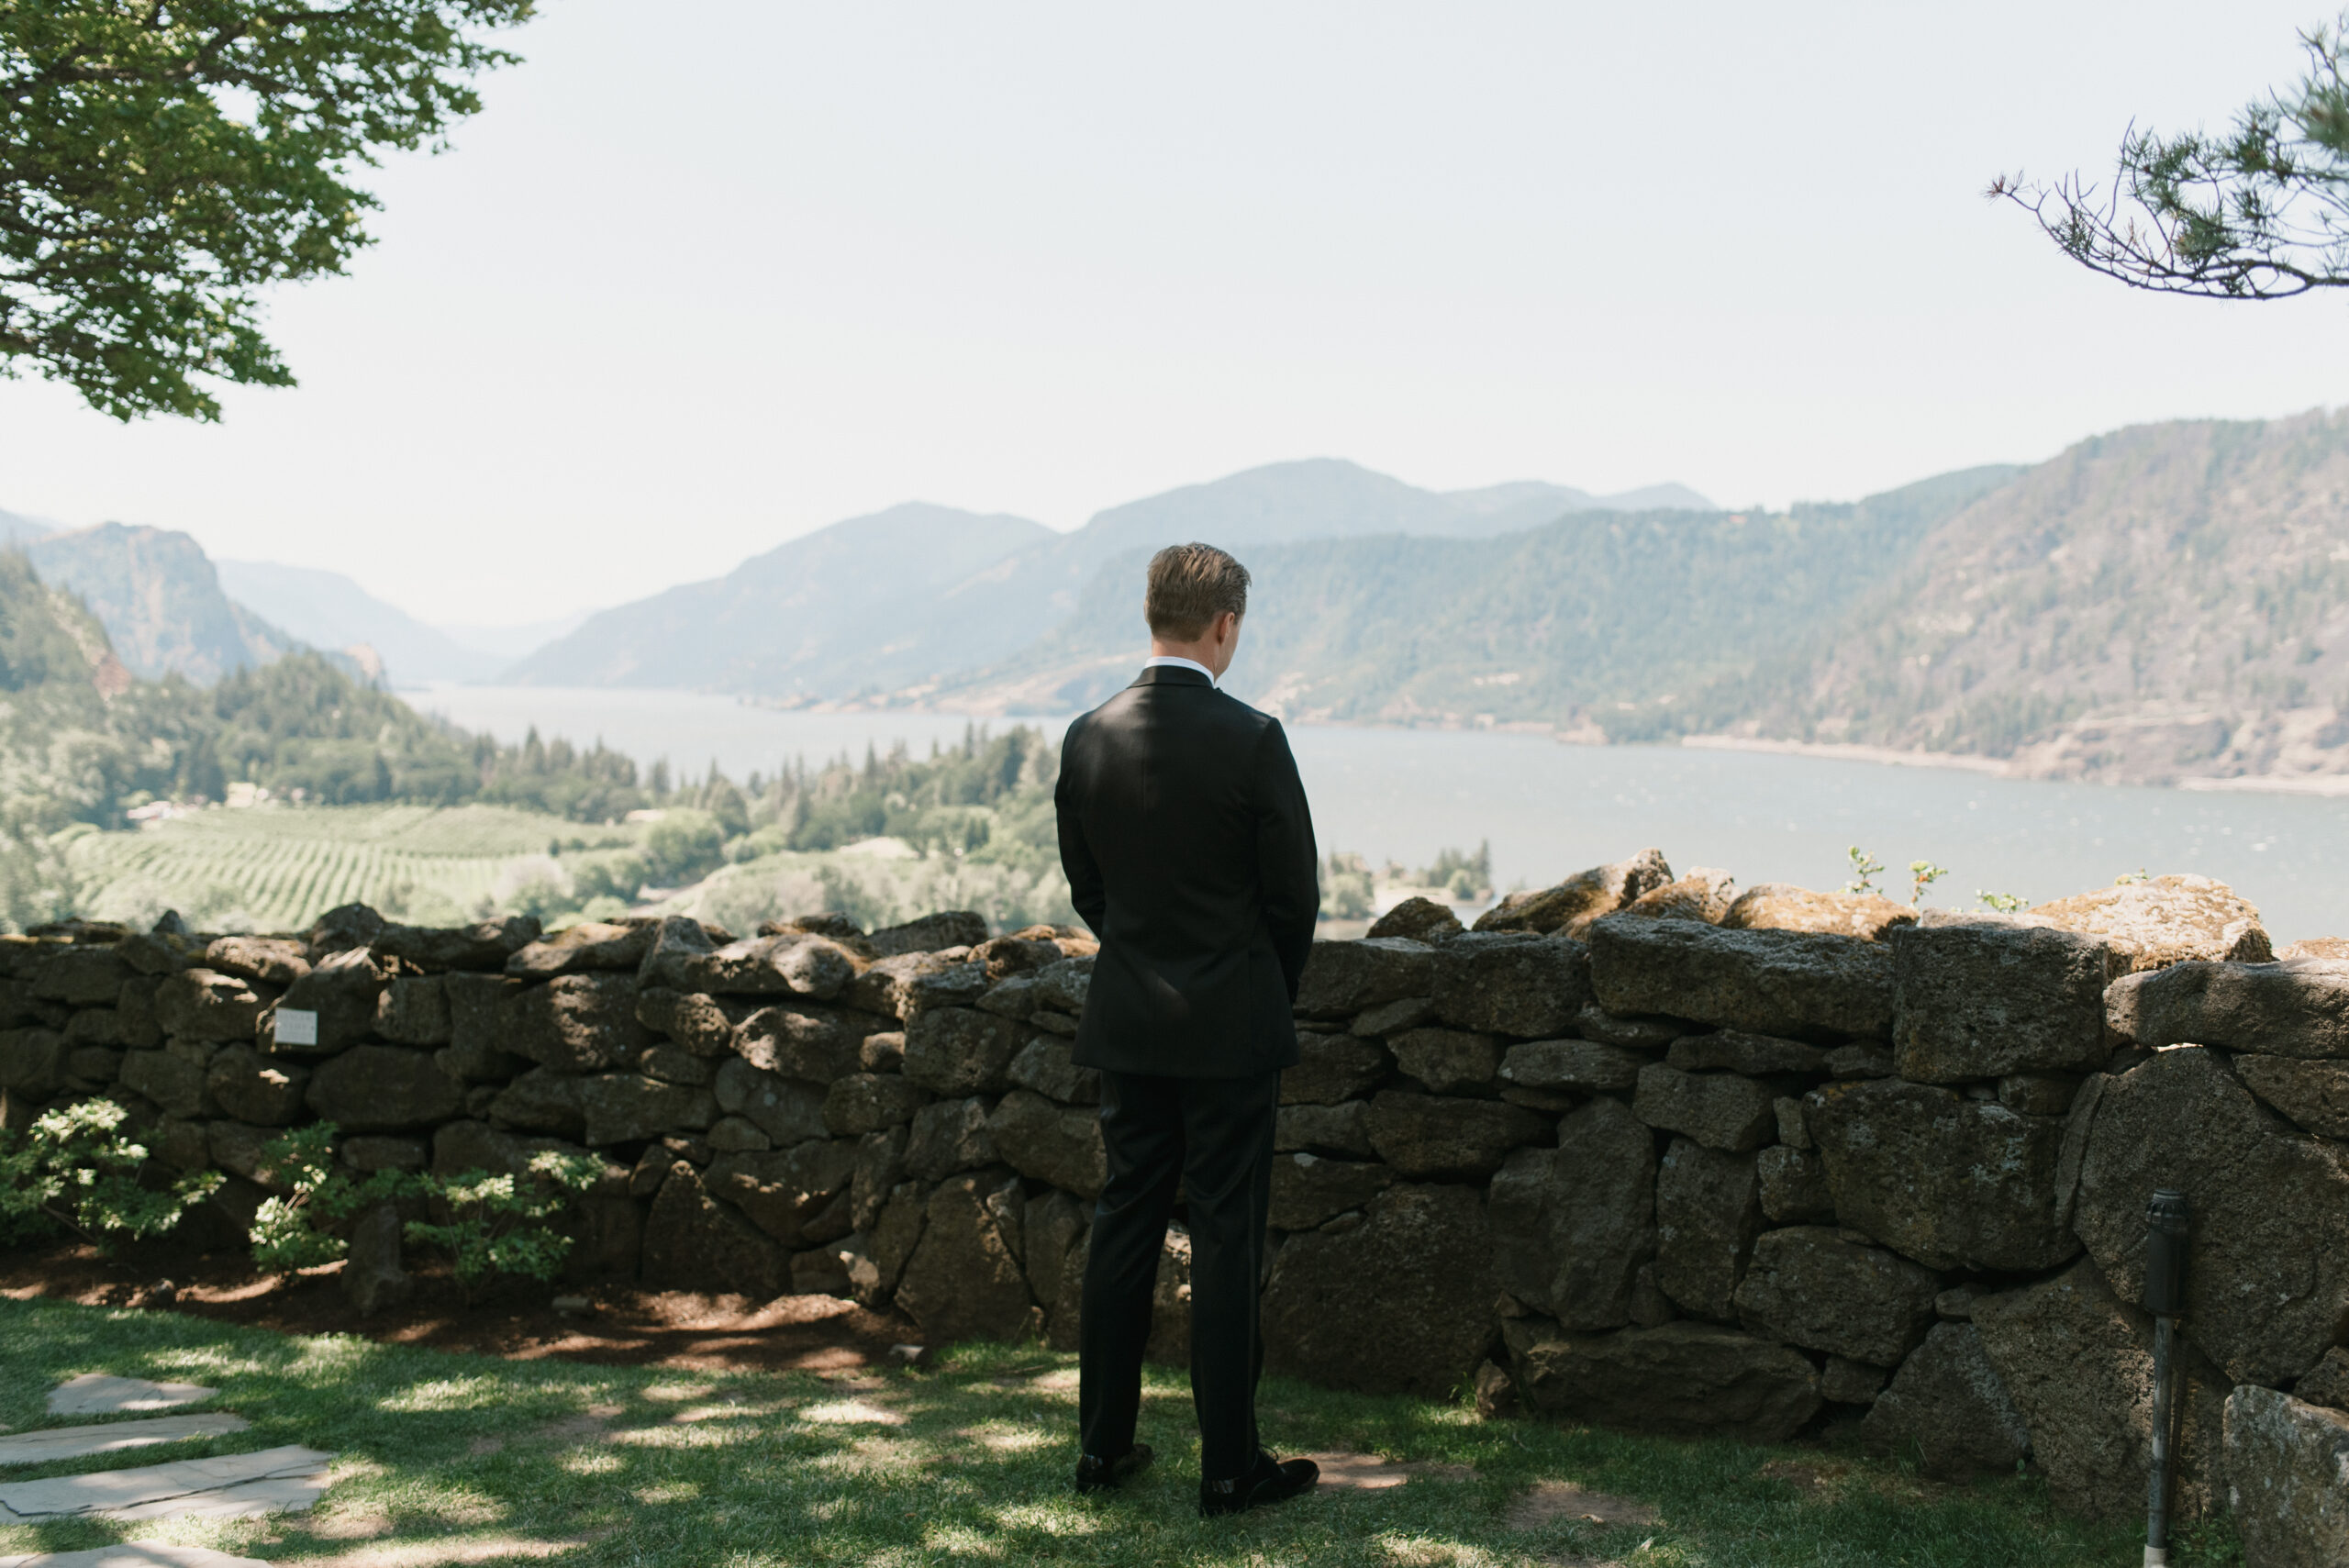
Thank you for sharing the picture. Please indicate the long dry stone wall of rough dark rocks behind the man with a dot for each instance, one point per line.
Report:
(1660, 1154)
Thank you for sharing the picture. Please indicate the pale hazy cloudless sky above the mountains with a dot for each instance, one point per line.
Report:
(713, 273)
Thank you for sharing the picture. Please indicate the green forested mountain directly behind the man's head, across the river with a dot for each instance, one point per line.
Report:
(1596, 611)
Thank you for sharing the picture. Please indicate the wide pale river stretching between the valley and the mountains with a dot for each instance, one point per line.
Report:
(1549, 809)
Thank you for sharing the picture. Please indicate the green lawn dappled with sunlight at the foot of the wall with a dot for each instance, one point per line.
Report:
(452, 1459)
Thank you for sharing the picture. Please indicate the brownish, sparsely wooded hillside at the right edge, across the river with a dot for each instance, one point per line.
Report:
(2162, 602)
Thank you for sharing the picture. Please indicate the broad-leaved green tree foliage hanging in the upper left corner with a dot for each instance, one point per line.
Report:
(166, 161)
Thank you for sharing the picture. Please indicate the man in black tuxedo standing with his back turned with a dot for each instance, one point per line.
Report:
(1190, 853)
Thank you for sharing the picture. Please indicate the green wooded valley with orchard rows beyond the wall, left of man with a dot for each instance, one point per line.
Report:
(344, 792)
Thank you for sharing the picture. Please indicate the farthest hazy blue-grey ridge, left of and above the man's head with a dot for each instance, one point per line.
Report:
(913, 600)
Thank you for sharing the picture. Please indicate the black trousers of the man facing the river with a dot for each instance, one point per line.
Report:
(1211, 1137)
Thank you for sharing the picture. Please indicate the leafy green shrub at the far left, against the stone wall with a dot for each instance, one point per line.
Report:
(79, 1170)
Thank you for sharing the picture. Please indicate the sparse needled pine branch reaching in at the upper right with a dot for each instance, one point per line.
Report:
(2259, 212)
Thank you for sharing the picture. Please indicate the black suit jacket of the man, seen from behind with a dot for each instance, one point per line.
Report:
(1190, 853)
